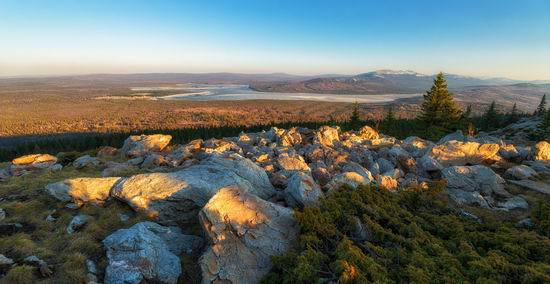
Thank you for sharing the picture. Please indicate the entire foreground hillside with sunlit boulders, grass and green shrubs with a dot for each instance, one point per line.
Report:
(281, 206)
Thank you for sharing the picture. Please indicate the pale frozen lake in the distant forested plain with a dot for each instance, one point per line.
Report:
(209, 92)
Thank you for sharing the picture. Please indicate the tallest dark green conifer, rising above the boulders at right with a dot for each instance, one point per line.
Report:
(439, 109)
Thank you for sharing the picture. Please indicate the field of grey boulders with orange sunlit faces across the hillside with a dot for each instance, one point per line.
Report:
(243, 190)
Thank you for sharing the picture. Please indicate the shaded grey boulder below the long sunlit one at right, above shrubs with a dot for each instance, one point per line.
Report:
(474, 184)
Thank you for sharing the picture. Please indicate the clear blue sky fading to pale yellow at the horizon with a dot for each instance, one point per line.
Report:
(496, 38)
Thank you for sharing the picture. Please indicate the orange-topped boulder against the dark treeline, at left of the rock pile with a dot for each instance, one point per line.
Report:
(137, 146)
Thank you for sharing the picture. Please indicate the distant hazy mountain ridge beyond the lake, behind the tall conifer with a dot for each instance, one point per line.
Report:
(468, 89)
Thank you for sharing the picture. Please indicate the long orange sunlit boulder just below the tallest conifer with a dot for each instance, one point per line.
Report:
(456, 153)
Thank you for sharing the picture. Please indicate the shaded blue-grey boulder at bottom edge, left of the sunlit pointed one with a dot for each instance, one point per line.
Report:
(146, 253)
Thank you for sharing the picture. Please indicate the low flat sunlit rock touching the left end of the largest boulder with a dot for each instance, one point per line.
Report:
(83, 190)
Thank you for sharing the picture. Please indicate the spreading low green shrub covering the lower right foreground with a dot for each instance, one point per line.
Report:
(412, 236)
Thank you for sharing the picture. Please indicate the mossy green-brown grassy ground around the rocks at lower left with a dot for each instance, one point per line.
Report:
(25, 202)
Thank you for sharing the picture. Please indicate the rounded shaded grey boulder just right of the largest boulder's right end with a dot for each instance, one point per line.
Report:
(302, 189)
